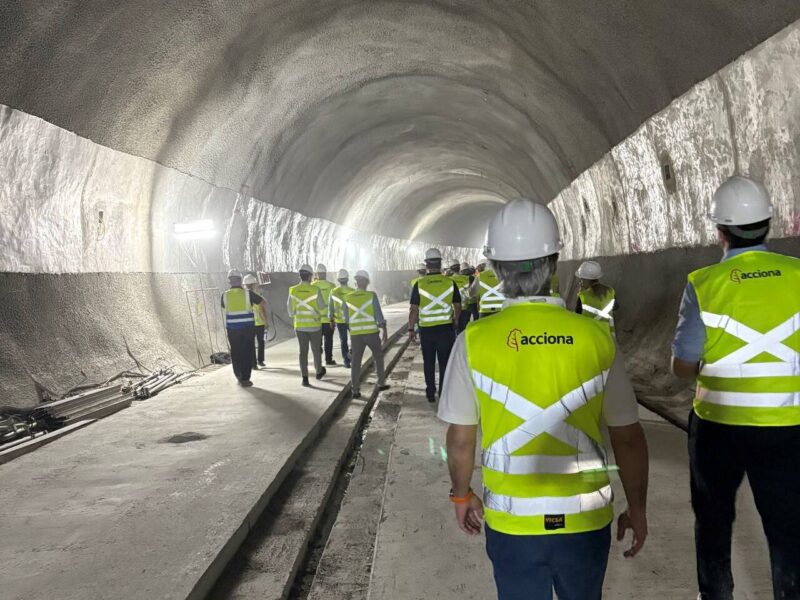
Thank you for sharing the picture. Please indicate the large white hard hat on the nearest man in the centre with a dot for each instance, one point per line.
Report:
(522, 230)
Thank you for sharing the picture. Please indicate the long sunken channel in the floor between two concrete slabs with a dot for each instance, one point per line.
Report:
(280, 555)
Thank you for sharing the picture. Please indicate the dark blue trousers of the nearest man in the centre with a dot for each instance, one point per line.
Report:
(528, 567)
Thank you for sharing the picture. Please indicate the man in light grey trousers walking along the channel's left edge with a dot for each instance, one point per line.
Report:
(364, 317)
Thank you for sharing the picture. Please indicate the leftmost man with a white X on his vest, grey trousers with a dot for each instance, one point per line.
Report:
(306, 308)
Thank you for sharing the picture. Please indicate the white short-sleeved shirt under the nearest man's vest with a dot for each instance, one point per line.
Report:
(458, 404)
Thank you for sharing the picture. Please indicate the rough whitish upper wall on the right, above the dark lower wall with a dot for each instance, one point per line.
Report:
(744, 119)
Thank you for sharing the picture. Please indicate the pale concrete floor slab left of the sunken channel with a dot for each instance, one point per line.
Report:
(153, 501)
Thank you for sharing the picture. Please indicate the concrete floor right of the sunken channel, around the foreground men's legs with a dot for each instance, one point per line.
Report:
(421, 553)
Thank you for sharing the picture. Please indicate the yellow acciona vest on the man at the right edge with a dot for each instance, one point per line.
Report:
(750, 373)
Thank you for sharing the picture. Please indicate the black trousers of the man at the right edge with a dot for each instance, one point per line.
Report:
(719, 457)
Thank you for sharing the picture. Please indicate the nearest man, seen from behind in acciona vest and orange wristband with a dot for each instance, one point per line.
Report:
(541, 381)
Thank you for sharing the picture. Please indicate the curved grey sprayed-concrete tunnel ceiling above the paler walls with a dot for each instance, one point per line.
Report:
(412, 119)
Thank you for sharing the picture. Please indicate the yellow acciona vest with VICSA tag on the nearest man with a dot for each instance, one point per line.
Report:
(539, 372)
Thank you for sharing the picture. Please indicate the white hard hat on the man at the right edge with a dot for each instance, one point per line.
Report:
(740, 201)
